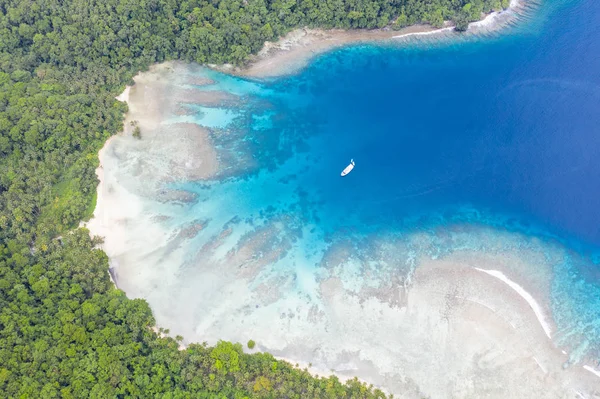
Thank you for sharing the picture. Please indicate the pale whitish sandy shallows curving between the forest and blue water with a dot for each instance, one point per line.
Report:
(387, 309)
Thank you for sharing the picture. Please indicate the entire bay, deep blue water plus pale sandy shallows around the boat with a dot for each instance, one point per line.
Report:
(474, 193)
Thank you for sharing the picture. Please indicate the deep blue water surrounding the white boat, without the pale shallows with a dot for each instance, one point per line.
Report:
(507, 124)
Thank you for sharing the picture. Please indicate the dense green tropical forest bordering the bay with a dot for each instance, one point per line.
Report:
(65, 331)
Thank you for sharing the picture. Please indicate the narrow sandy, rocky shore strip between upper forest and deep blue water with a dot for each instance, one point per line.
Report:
(294, 51)
